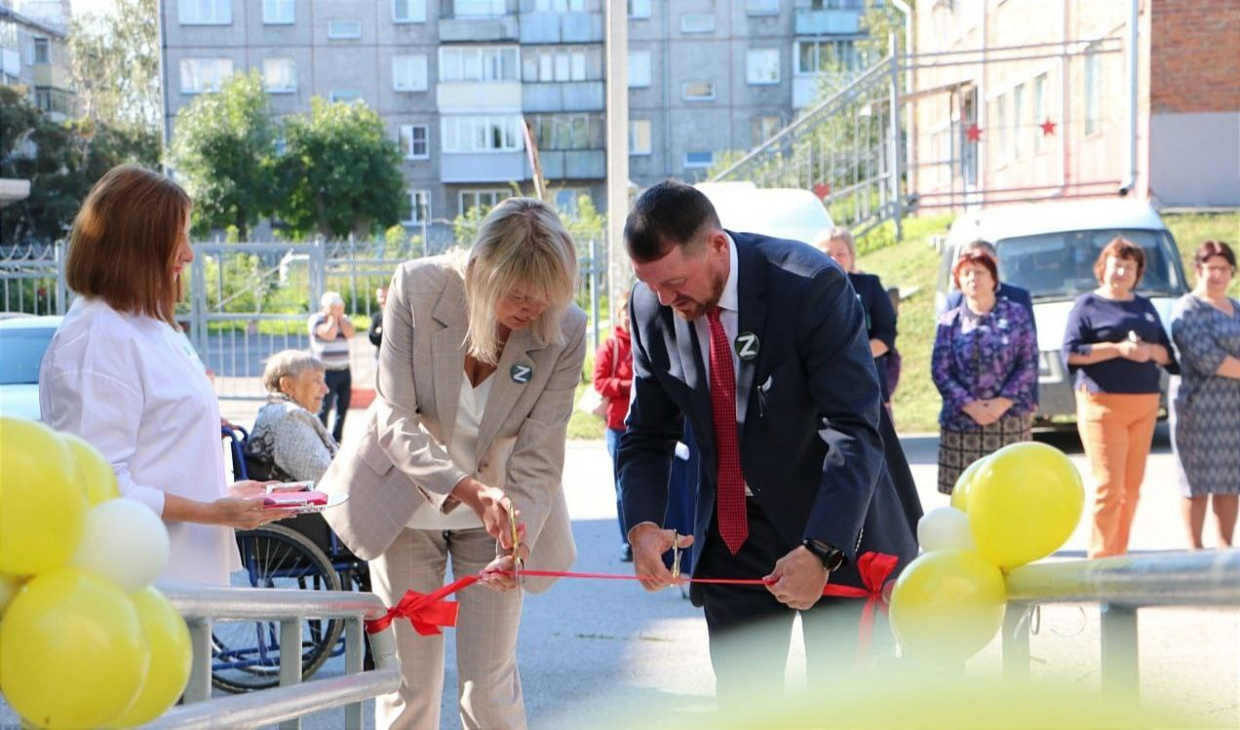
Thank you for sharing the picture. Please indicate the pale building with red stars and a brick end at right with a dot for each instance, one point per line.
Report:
(1043, 99)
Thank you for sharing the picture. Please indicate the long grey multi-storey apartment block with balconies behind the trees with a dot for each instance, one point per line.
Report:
(458, 80)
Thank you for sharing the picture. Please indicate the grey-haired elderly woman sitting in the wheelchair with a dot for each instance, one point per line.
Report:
(290, 443)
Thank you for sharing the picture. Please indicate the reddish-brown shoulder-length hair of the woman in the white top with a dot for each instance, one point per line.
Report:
(125, 240)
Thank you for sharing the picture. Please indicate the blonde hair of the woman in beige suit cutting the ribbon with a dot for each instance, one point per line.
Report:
(520, 245)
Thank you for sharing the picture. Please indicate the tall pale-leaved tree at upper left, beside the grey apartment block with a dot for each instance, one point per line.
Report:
(116, 75)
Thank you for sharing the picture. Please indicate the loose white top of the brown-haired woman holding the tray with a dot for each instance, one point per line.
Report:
(135, 389)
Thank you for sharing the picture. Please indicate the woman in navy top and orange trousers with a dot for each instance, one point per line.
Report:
(1115, 343)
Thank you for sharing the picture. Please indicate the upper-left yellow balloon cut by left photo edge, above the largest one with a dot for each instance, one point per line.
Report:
(42, 506)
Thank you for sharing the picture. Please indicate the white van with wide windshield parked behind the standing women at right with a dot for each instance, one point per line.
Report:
(1050, 250)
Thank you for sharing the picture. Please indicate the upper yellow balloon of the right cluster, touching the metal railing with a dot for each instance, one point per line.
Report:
(1025, 504)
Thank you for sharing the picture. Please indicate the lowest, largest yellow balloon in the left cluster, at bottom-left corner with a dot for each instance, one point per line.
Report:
(74, 654)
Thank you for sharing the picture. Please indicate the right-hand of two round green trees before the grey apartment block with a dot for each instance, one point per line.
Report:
(342, 173)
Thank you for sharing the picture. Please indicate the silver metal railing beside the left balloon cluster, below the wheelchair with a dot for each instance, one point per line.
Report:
(286, 705)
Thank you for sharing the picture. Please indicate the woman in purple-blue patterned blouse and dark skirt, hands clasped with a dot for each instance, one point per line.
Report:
(985, 365)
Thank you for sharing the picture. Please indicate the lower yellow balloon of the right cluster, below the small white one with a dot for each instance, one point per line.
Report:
(948, 605)
